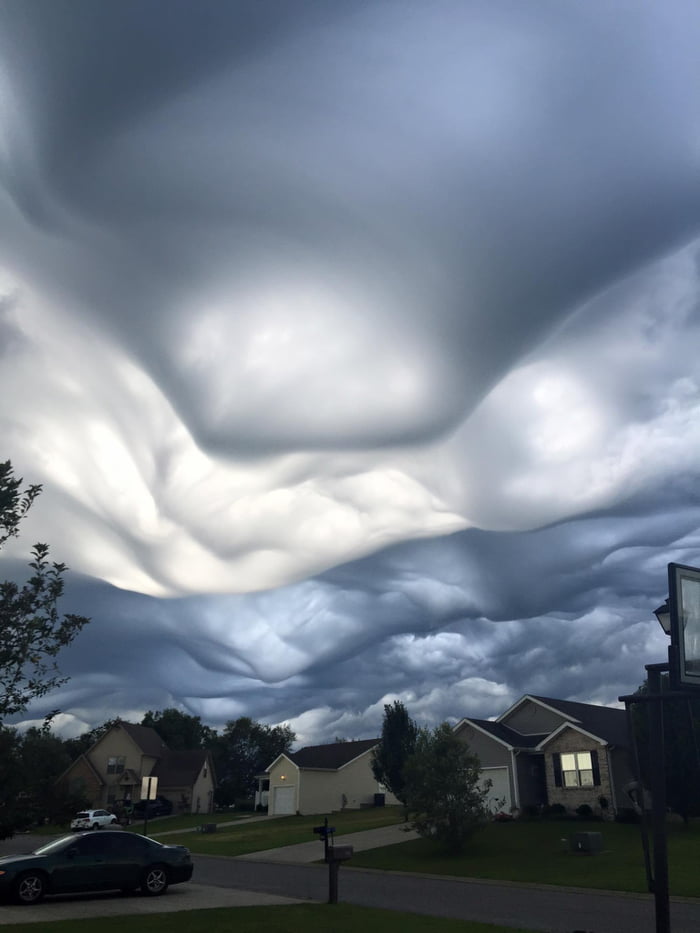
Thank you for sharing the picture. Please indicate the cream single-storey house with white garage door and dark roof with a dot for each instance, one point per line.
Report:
(323, 778)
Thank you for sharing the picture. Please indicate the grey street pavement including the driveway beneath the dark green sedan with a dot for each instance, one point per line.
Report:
(236, 882)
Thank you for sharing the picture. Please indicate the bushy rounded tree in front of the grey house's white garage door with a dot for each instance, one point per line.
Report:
(442, 785)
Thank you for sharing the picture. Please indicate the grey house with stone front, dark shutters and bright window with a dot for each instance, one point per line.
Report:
(547, 751)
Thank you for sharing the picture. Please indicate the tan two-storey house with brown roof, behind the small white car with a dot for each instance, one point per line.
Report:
(111, 770)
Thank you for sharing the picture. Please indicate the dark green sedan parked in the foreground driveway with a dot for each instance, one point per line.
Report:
(94, 862)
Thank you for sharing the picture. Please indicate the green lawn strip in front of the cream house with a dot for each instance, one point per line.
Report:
(248, 837)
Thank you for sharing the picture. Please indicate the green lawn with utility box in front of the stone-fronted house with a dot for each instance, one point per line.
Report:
(534, 852)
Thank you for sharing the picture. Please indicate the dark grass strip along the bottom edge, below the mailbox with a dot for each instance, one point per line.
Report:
(341, 918)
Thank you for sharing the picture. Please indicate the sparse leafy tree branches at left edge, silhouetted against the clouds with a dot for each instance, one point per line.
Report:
(32, 632)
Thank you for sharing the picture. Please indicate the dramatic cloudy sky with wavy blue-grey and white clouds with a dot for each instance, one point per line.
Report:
(355, 345)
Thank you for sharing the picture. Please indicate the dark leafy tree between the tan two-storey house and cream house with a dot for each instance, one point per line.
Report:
(243, 750)
